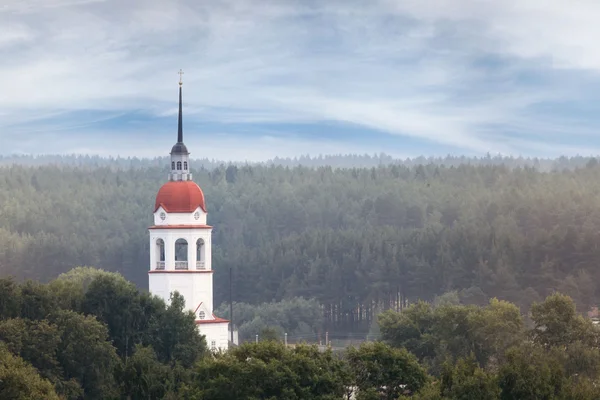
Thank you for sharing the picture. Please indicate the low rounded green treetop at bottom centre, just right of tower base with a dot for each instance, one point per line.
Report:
(268, 370)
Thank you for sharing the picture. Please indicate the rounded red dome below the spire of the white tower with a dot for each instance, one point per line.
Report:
(180, 196)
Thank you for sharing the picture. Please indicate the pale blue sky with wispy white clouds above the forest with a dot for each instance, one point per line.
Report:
(295, 77)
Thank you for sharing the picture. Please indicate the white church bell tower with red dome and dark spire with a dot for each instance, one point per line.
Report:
(180, 245)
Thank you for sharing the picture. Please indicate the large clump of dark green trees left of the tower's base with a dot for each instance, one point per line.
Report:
(79, 354)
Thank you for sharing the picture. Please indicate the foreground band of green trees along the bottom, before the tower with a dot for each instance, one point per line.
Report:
(91, 334)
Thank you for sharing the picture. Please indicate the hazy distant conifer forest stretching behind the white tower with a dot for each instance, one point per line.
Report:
(356, 240)
